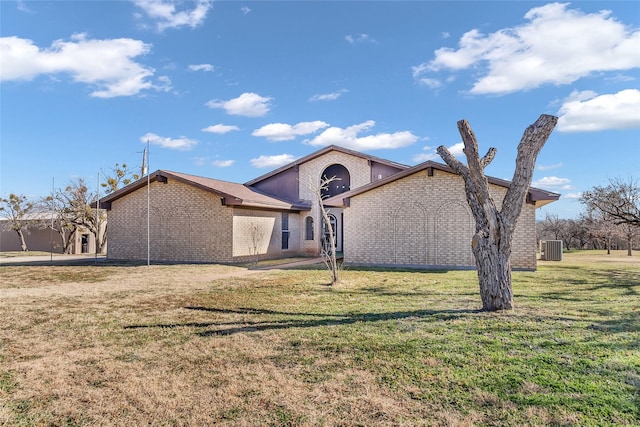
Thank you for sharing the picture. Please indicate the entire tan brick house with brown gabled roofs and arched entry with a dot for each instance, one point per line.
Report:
(383, 213)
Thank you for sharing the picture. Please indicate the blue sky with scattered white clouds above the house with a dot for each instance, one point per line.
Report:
(233, 89)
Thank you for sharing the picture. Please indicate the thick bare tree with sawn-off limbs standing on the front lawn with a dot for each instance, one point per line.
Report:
(491, 244)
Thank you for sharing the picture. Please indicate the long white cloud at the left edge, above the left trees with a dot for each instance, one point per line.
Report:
(106, 64)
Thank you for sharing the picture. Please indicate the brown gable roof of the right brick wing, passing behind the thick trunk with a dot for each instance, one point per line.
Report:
(536, 196)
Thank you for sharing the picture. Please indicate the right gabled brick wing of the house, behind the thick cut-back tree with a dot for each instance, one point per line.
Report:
(419, 217)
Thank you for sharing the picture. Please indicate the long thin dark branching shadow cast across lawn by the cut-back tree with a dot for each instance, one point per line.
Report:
(320, 319)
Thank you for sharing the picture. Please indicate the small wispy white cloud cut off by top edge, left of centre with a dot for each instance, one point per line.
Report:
(165, 15)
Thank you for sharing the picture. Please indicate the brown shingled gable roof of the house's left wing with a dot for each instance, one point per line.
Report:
(231, 193)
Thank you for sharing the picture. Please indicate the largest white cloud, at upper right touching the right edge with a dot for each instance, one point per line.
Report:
(556, 45)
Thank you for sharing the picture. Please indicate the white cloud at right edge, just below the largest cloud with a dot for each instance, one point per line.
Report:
(587, 112)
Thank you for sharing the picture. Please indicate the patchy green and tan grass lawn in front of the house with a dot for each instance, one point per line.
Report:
(182, 345)
